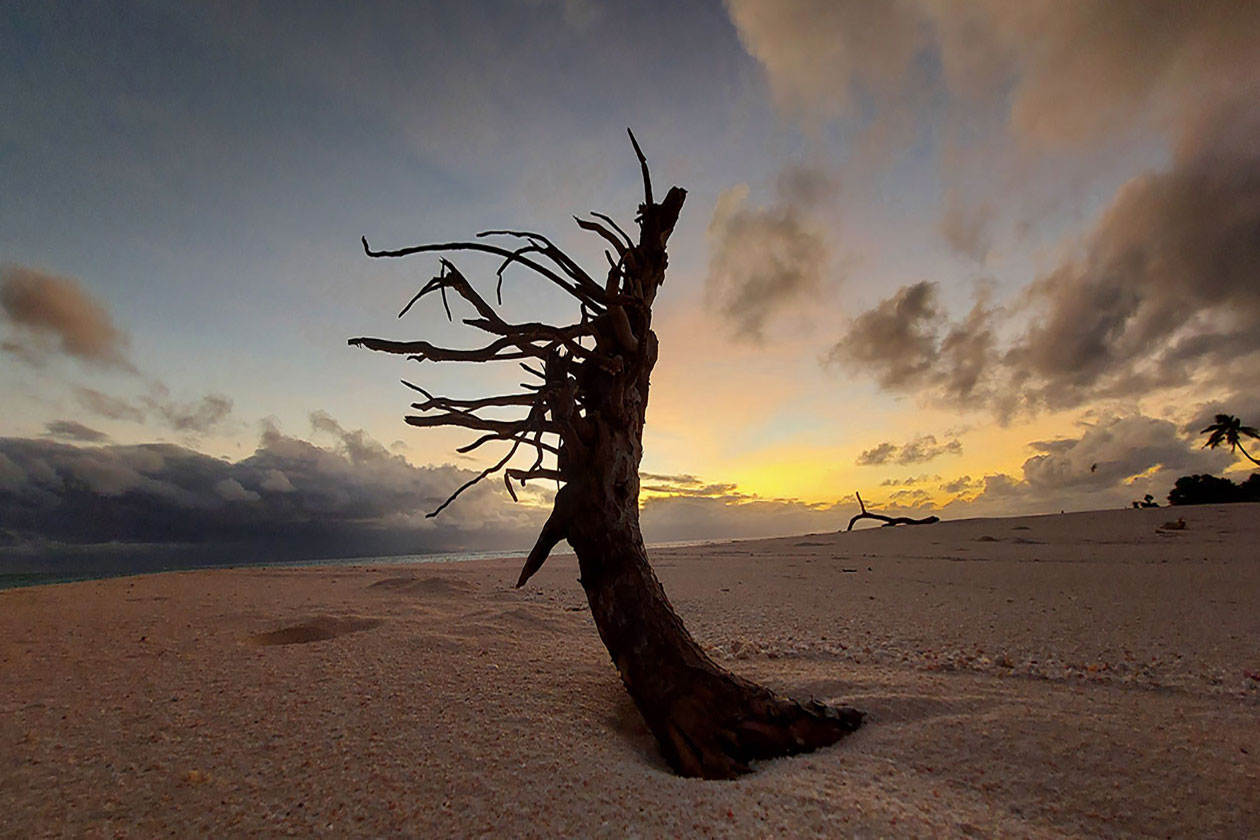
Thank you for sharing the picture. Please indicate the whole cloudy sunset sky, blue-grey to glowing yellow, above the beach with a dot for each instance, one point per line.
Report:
(980, 259)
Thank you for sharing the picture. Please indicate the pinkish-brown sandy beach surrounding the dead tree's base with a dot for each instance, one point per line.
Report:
(1067, 676)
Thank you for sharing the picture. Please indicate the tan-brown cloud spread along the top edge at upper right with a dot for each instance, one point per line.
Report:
(1069, 74)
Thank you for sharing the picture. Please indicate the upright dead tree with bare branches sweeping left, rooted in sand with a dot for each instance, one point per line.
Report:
(583, 421)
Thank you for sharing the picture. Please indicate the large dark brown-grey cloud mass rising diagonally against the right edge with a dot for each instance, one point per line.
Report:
(1167, 281)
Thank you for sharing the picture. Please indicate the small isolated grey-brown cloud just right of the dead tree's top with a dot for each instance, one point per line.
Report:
(764, 261)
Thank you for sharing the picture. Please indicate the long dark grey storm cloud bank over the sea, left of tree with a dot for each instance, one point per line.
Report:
(289, 499)
